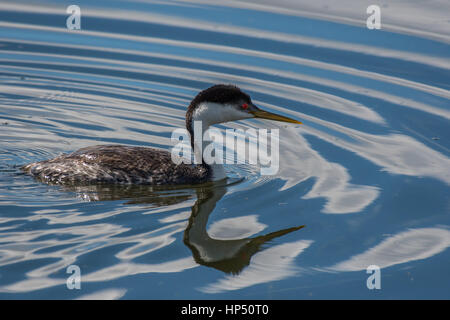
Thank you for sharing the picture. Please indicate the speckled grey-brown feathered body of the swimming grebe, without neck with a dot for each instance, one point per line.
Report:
(117, 164)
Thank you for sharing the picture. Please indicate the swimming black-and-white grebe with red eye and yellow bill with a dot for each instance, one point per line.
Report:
(139, 165)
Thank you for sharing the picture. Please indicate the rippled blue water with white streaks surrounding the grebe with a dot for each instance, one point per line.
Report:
(367, 175)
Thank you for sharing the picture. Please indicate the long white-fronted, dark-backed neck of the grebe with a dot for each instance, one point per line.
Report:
(199, 140)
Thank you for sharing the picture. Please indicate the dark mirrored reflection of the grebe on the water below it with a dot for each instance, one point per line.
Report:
(229, 256)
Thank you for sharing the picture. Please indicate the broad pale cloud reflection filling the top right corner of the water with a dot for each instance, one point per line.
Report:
(429, 21)
